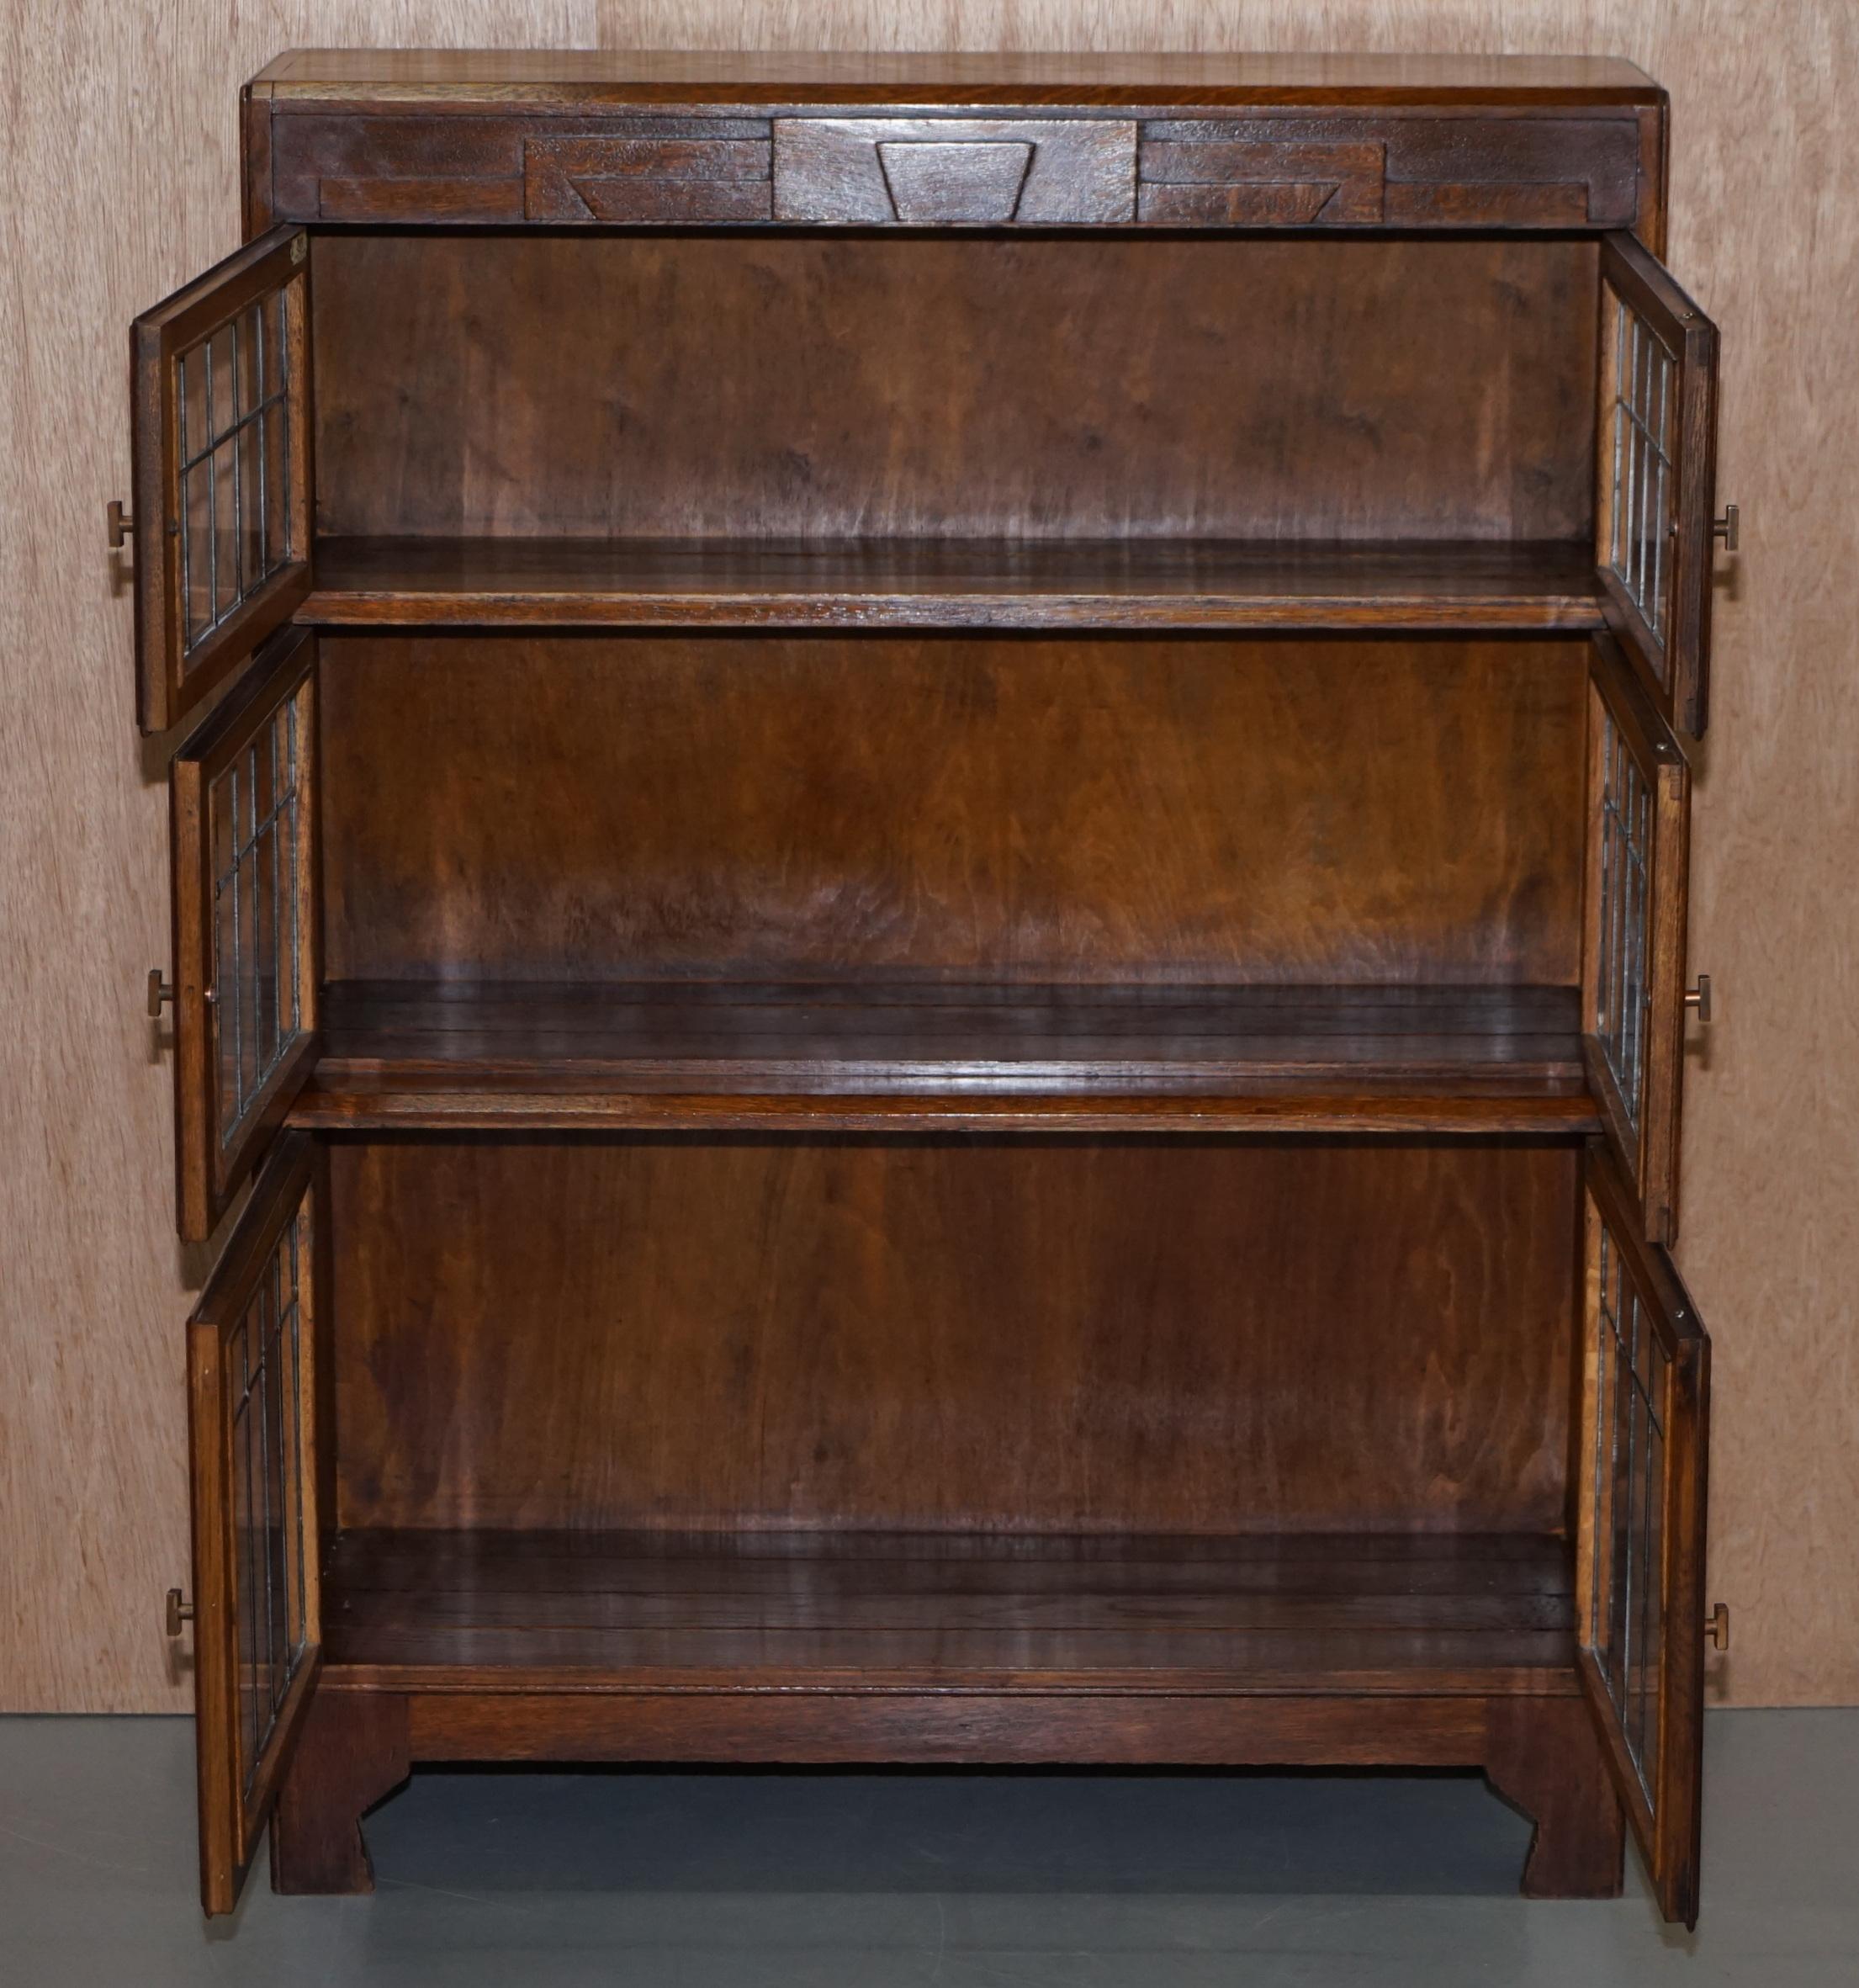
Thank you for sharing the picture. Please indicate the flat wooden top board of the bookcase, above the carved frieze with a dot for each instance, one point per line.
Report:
(673, 77)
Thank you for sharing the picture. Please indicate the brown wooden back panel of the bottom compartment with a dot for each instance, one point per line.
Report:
(969, 1335)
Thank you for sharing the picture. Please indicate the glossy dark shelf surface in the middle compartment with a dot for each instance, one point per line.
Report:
(898, 1033)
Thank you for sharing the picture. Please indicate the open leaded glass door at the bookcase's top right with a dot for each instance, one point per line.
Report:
(1657, 476)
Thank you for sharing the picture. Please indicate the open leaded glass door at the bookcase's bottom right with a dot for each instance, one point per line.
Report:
(1641, 1540)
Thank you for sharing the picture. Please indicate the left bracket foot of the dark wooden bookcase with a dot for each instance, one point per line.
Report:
(351, 1754)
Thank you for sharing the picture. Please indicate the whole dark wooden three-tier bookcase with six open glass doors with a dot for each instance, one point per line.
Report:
(931, 836)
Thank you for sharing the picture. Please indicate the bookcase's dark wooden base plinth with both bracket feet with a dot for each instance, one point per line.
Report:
(1542, 1754)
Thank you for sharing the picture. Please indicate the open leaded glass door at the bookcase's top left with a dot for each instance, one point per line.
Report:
(222, 426)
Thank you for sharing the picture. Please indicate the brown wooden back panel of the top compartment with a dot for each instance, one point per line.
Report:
(1029, 389)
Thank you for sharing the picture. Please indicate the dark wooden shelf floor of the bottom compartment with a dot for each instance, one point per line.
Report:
(924, 1611)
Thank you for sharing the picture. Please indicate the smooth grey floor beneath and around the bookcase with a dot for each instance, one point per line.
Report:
(1011, 1882)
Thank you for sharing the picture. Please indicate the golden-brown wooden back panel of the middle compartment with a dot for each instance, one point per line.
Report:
(1275, 812)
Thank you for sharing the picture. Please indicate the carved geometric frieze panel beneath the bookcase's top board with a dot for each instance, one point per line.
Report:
(502, 164)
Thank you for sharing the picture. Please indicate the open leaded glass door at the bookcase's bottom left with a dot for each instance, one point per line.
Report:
(255, 1544)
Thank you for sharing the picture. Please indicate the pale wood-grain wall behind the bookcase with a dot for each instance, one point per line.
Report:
(120, 182)
